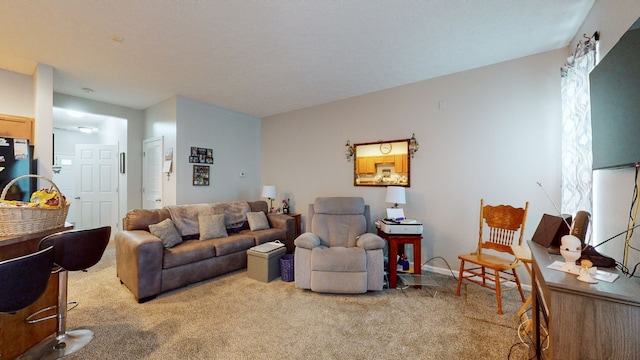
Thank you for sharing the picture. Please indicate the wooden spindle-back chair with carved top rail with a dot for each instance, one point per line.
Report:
(491, 269)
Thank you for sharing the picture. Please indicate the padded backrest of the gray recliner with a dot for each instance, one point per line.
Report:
(338, 221)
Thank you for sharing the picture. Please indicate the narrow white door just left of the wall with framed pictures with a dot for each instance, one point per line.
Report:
(152, 173)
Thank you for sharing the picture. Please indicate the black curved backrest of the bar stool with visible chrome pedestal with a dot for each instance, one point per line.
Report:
(78, 249)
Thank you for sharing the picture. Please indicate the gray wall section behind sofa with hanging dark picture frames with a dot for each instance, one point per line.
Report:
(235, 140)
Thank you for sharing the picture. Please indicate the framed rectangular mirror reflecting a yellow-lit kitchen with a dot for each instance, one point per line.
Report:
(382, 163)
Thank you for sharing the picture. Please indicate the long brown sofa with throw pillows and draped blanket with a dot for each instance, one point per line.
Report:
(147, 268)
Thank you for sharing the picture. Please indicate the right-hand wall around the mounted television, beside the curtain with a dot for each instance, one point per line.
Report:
(612, 189)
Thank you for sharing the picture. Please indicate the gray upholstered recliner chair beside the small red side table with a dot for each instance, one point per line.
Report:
(338, 255)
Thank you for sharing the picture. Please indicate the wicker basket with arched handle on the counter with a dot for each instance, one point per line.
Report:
(29, 220)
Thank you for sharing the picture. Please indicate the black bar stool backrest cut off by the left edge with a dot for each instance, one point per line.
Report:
(24, 279)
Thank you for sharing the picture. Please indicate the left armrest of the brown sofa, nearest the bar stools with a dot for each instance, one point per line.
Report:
(139, 262)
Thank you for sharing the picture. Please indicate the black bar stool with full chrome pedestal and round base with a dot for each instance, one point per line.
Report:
(75, 250)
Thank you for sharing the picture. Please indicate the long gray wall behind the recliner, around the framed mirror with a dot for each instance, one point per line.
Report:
(496, 134)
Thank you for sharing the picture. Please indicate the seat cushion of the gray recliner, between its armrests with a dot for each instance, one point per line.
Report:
(338, 259)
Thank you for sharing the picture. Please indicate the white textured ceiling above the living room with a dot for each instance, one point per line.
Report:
(267, 57)
